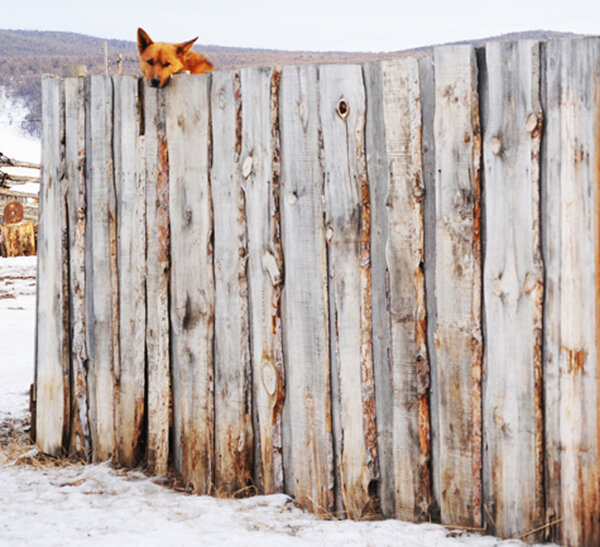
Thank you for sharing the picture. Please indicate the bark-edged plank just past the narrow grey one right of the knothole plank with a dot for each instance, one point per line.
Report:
(406, 291)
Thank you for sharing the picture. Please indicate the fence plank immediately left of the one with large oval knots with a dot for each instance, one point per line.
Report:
(233, 374)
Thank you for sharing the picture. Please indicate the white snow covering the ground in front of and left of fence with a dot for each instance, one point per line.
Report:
(43, 502)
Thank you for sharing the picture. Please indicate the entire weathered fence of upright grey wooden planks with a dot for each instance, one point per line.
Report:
(375, 288)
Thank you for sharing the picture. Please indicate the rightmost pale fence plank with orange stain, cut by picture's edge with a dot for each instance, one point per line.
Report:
(573, 319)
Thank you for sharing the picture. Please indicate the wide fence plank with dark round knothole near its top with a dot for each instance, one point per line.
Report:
(347, 217)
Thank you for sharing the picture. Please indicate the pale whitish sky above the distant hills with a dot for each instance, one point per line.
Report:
(341, 25)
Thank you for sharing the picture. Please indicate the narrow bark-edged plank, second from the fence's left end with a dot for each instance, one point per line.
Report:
(75, 154)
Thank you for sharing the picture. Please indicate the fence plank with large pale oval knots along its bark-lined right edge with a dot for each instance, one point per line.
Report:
(260, 181)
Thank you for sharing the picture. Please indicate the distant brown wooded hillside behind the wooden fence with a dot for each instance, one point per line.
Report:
(27, 54)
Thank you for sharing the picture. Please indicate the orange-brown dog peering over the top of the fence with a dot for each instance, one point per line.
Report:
(160, 60)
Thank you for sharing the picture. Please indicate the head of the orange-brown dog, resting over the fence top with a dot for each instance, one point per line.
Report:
(159, 60)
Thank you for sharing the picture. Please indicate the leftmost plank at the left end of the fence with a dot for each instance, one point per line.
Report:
(52, 332)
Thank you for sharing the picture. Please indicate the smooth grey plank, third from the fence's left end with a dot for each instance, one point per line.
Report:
(102, 300)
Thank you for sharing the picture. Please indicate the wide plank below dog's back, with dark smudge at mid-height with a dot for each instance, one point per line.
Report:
(192, 279)
